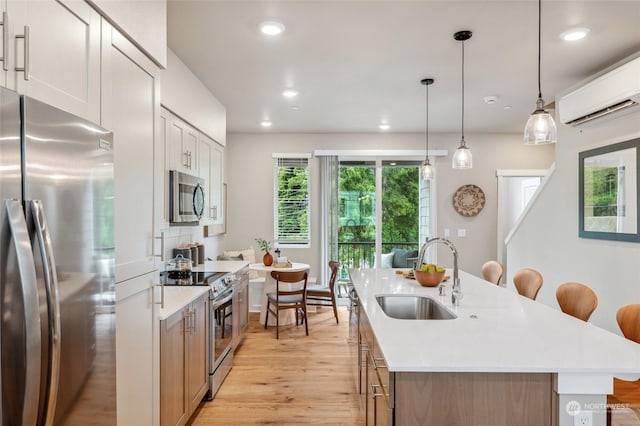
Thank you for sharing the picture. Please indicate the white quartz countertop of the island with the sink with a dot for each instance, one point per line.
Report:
(511, 333)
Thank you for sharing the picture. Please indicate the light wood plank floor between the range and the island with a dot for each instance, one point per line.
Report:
(295, 380)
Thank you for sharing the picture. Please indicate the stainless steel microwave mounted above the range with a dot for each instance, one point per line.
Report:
(186, 198)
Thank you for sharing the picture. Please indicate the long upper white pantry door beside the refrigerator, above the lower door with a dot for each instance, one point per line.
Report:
(131, 110)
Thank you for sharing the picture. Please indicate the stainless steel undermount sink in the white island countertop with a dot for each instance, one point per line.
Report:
(413, 308)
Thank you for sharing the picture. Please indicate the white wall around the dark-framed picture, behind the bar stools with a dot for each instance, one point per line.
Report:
(548, 238)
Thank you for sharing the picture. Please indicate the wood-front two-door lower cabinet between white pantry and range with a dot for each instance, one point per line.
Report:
(183, 362)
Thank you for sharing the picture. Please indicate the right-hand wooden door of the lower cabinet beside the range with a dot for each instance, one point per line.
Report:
(196, 366)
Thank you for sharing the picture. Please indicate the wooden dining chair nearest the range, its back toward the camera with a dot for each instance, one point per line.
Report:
(287, 296)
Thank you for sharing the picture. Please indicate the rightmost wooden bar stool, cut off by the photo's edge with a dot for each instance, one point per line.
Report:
(626, 393)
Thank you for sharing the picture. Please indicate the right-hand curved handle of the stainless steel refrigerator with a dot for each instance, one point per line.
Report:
(36, 211)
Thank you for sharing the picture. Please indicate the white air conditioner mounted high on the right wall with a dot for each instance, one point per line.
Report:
(613, 92)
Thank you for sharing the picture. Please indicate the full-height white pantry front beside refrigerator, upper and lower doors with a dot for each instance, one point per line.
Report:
(130, 105)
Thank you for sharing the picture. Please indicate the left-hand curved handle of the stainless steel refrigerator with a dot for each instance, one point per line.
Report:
(27, 271)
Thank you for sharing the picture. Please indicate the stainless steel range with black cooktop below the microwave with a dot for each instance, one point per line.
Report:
(220, 320)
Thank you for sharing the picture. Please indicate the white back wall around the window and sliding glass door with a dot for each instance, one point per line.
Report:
(249, 171)
